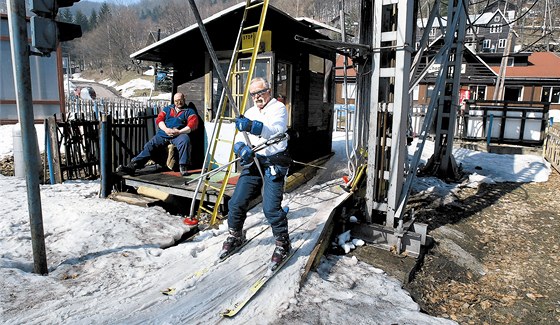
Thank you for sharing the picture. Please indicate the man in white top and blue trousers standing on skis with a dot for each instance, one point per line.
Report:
(267, 118)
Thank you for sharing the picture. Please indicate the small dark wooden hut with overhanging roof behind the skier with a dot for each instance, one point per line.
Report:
(301, 74)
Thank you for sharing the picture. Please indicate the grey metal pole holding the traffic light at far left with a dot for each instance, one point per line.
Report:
(24, 100)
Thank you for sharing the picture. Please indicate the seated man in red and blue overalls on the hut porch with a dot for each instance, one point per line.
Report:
(175, 122)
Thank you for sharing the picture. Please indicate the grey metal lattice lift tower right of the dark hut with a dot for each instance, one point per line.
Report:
(388, 28)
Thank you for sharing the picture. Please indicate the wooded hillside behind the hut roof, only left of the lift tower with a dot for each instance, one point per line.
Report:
(112, 32)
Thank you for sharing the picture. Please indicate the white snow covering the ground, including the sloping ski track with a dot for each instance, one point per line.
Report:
(110, 261)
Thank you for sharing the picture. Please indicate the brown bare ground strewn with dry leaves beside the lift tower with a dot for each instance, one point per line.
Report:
(496, 255)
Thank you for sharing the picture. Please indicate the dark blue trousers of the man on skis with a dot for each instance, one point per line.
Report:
(248, 187)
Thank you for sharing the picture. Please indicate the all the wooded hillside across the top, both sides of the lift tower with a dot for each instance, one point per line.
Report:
(114, 30)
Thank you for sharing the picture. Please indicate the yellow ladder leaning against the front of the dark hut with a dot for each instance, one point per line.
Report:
(235, 75)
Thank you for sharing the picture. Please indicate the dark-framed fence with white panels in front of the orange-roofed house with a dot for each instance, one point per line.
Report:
(521, 123)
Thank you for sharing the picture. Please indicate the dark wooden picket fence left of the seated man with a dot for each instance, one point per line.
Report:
(73, 150)
